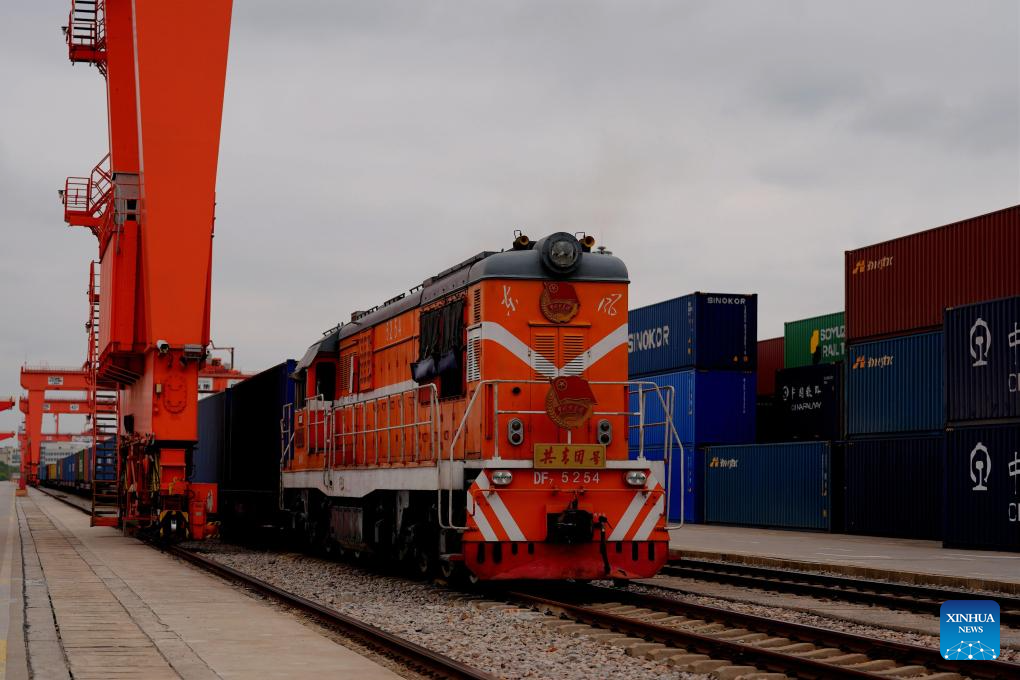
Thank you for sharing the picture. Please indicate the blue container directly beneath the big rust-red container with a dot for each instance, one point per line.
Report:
(896, 386)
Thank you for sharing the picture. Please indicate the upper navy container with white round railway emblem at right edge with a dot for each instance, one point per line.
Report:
(983, 361)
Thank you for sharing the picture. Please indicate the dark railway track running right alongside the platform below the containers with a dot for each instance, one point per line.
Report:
(904, 597)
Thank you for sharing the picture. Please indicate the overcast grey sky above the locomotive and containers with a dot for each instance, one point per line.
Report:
(713, 145)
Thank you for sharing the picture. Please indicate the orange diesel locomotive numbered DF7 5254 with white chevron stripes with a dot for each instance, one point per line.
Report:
(480, 423)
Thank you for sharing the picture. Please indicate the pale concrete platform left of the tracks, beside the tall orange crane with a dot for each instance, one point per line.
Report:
(99, 605)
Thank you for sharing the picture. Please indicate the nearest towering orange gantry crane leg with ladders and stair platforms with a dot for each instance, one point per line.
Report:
(150, 203)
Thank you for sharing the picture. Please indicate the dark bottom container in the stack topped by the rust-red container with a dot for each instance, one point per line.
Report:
(894, 487)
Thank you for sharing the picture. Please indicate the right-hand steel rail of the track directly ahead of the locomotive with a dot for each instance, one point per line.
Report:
(874, 648)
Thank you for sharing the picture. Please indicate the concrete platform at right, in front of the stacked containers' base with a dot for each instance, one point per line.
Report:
(923, 562)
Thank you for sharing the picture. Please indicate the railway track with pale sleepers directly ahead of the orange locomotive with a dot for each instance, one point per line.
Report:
(701, 639)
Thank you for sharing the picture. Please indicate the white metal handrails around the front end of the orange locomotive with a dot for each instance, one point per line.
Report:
(642, 385)
